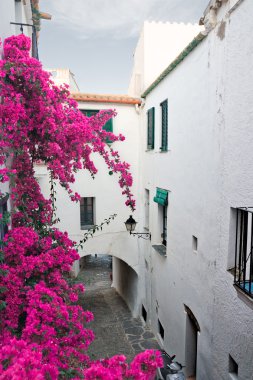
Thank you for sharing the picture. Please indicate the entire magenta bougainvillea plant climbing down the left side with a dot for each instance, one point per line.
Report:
(43, 330)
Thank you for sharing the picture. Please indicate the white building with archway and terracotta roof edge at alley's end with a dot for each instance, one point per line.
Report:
(101, 197)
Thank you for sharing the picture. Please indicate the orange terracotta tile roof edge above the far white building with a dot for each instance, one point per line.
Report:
(99, 98)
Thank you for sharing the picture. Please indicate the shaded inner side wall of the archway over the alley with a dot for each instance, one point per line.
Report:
(125, 281)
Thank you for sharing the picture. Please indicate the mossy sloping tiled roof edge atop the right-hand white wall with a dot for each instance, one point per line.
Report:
(187, 50)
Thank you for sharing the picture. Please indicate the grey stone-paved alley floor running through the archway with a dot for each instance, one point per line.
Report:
(115, 330)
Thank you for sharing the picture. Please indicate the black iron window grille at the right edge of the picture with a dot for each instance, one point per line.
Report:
(243, 274)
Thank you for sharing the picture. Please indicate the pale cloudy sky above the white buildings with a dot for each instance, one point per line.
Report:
(96, 38)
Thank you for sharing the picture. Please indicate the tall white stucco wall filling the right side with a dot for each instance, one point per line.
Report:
(207, 171)
